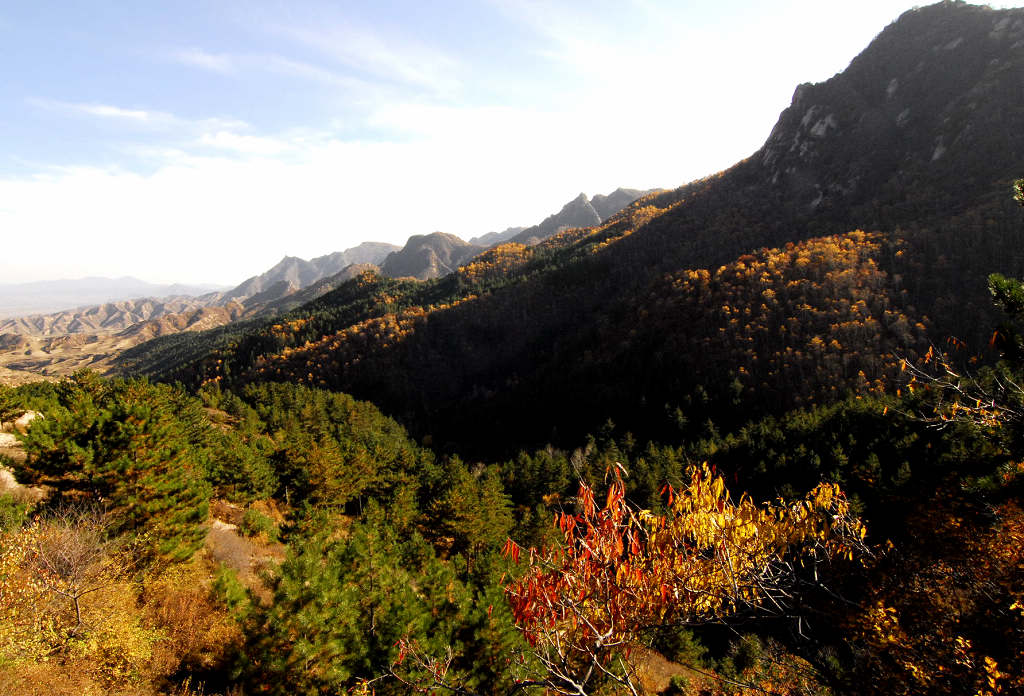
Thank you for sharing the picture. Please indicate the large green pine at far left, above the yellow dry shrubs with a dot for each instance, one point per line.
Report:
(121, 445)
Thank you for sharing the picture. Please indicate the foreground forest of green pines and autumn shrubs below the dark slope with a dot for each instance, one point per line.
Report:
(286, 540)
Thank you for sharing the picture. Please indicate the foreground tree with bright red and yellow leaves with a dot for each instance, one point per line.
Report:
(621, 573)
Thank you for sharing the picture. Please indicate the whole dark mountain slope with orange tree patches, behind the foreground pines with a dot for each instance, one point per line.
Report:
(566, 333)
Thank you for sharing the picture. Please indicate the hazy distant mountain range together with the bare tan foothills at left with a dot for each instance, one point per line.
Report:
(54, 330)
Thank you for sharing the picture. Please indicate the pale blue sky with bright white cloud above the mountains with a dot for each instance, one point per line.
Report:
(201, 142)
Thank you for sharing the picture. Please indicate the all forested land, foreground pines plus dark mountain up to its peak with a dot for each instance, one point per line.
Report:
(762, 434)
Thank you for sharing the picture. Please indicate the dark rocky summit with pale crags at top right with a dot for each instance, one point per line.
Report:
(940, 85)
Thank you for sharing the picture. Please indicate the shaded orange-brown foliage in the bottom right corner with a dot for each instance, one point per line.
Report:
(947, 615)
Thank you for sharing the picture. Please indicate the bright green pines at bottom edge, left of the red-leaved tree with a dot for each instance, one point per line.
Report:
(343, 606)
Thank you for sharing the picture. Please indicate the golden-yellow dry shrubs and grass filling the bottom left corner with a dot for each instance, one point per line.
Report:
(76, 620)
